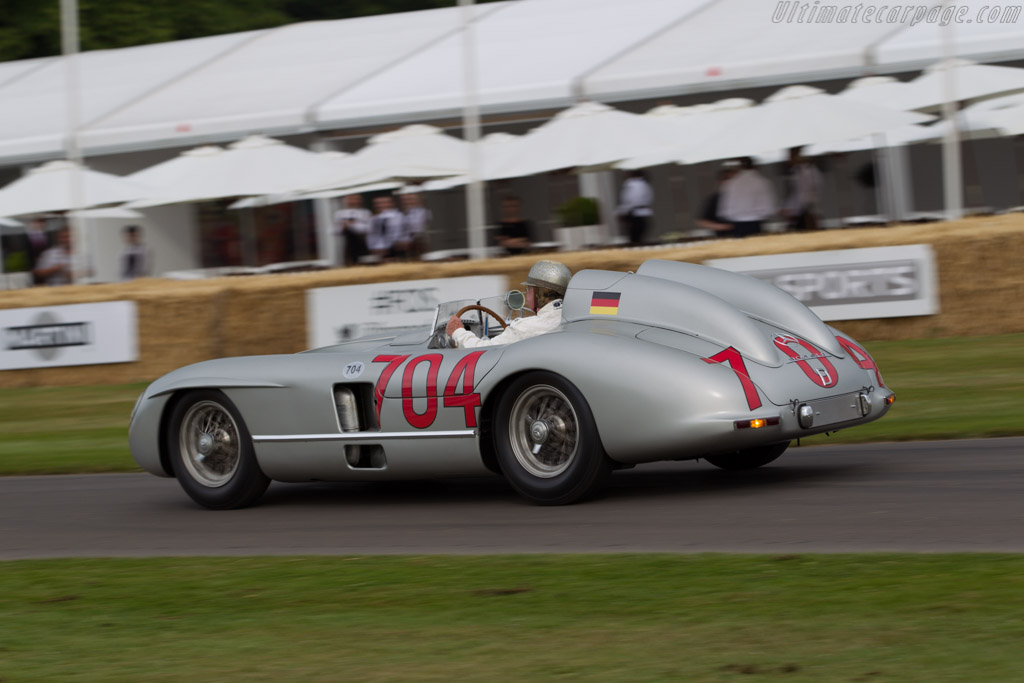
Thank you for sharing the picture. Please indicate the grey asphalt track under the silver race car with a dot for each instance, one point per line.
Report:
(920, 497)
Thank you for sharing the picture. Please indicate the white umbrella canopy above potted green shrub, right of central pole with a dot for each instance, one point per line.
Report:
(587, 136)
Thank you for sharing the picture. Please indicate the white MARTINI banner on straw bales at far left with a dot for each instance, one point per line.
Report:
(87, 334)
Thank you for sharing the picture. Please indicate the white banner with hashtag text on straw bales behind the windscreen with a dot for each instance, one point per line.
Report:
(337, 315)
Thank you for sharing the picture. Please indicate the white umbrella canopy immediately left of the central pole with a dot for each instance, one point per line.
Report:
(414, 152)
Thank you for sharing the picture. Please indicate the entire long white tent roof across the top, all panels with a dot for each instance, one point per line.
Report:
(377, 71)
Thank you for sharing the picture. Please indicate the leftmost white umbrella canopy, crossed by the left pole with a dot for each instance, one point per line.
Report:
(49, 188)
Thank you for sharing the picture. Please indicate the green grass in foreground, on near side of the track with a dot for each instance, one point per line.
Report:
(622, 618)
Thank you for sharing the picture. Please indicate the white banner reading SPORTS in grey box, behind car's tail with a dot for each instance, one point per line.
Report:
(851, 284)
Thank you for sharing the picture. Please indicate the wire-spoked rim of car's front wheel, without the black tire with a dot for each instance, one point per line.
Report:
(209, 444)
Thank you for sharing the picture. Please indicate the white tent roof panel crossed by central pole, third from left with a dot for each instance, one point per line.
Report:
(529, 57)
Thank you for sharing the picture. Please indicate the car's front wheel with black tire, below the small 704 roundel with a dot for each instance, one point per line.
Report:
(211, 452)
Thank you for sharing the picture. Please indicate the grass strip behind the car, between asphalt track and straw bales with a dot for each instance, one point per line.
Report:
(946, 389)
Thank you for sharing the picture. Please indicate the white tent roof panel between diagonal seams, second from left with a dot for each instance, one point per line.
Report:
(274, 82)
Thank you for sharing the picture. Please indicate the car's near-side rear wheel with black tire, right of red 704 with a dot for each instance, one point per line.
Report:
(554, 457)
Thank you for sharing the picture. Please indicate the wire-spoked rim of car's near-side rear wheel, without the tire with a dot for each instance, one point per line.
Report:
(544, 432)
